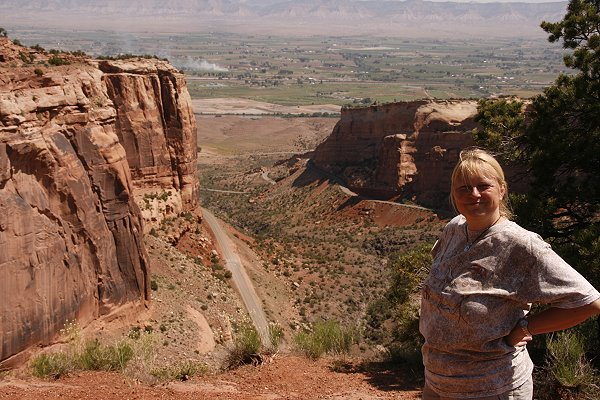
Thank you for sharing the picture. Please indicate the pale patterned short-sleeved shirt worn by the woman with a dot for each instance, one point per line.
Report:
(474, 297)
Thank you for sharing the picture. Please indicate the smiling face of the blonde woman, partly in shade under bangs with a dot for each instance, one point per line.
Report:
(478, 198)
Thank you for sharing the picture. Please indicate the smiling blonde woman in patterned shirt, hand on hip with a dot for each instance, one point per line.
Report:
(487, 271)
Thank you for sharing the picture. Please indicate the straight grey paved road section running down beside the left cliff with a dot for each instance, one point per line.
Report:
(240, 279)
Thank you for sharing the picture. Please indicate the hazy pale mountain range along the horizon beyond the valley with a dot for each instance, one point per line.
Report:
(332, 17)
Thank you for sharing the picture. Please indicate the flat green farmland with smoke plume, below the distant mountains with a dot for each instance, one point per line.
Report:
(331, 70)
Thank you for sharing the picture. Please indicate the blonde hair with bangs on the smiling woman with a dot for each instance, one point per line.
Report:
(478, 162)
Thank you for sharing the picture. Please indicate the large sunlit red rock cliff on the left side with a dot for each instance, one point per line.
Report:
(78, 143)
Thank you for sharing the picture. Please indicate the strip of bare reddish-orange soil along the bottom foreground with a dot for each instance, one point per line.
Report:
(284, 377)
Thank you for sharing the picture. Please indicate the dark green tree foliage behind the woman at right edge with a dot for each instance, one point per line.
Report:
(558, 142)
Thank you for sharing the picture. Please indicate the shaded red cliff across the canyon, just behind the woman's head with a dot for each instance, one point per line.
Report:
(399, 150)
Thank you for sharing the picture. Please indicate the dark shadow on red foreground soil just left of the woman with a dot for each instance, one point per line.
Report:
(386, 375)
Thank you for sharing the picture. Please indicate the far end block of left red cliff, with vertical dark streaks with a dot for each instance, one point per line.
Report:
(156, 126)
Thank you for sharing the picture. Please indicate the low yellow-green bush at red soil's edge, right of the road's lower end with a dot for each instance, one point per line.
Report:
(326, 337)
